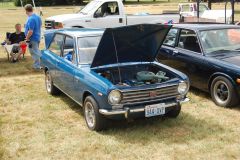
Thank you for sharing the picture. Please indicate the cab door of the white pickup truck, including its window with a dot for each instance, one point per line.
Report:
(107, 16)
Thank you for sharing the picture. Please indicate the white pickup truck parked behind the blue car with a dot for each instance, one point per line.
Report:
(106, 14)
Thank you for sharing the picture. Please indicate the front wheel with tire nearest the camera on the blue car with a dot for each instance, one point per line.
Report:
(98, 121)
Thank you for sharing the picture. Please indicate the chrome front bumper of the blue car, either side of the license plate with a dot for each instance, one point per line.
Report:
(126, 111)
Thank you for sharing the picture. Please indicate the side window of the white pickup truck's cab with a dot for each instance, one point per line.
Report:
(107, 9)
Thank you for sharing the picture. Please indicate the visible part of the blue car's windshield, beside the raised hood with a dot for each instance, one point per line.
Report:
(87, 47)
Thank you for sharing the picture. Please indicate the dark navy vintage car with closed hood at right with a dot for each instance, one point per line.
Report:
(210, 55)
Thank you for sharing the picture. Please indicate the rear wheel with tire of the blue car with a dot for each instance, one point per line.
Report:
(51, 89)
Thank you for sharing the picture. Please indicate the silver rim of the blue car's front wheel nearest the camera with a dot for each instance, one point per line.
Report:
(90, 114)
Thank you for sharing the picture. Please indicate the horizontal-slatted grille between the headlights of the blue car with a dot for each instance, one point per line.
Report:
(149, 95)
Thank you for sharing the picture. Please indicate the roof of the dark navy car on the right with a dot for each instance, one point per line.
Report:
(207, 26)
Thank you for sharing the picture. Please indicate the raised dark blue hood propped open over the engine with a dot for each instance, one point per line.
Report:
(137, 43)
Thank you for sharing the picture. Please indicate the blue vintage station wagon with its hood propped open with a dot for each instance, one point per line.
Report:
(112, 73)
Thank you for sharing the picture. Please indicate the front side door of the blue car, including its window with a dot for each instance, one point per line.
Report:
(66, 66)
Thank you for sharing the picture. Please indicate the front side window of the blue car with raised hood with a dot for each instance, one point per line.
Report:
(68, 49)
